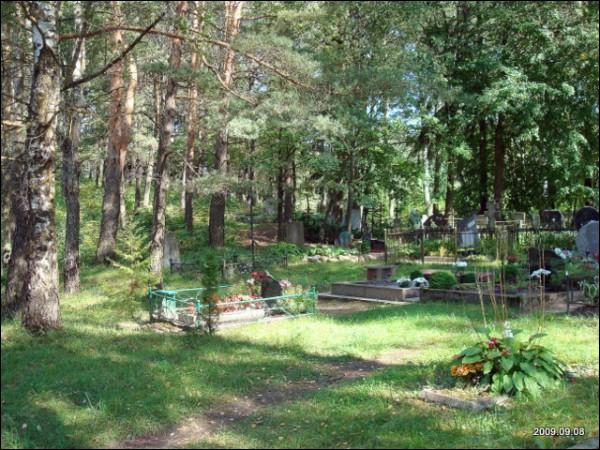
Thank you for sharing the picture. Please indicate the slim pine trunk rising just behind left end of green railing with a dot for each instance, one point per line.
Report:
(164, 144)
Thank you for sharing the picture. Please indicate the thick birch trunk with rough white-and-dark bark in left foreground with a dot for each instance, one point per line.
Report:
(40, 289)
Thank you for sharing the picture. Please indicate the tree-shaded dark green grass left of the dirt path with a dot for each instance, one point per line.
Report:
(85, 389)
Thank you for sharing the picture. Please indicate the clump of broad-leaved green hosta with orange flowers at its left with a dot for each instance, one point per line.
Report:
(509, 366)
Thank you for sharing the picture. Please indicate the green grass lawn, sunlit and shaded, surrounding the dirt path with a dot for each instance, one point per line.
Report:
(93, 384)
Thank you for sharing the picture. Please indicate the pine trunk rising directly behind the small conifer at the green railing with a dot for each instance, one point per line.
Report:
(232, 19)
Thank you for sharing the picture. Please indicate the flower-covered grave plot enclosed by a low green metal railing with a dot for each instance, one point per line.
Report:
(184, 307)
